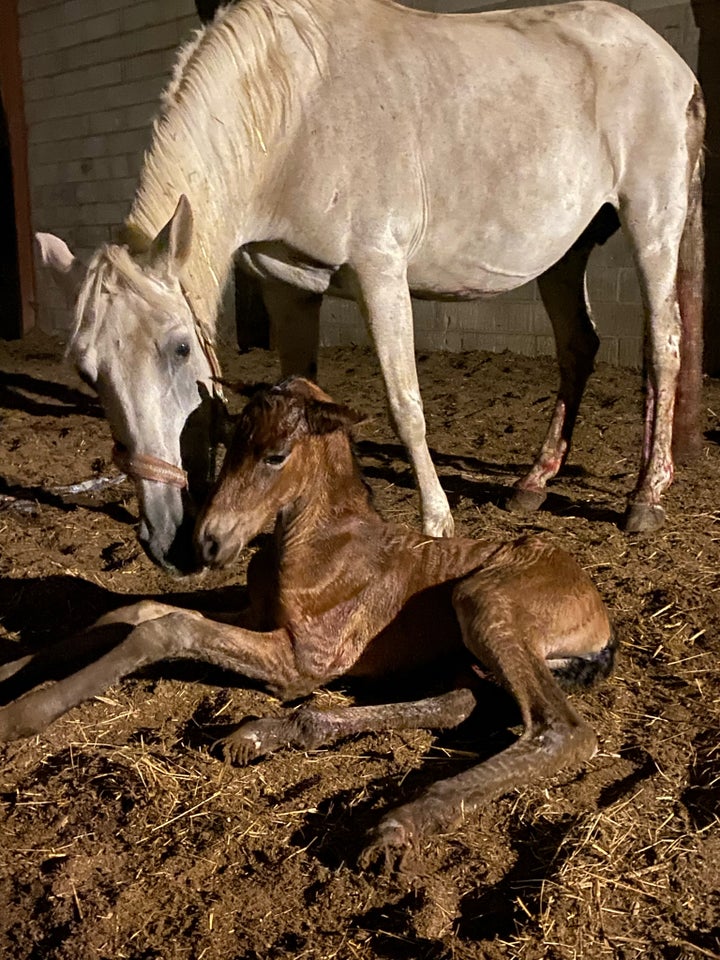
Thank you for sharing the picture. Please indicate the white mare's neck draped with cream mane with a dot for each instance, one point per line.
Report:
(231, 101)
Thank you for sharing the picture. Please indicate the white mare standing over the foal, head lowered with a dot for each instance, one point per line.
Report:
(363, 149)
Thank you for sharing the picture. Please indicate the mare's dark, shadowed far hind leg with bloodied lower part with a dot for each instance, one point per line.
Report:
(563, 292)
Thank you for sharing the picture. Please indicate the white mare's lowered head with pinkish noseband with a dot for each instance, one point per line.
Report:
(137, 343)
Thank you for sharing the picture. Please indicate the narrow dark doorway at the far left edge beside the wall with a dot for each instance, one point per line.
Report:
(10, 298)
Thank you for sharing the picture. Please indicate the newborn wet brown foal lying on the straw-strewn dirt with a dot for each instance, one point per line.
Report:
(343, 593)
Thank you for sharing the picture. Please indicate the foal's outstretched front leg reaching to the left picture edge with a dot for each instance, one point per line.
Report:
(180, 634)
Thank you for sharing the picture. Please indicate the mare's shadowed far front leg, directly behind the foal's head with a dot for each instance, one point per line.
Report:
(295, 319)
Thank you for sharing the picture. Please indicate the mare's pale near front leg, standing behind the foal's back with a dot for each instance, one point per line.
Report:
(384, 300)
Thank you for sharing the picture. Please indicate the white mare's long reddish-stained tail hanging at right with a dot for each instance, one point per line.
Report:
(687, 436)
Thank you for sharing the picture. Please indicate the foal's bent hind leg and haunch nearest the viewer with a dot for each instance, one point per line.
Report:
(512, 620)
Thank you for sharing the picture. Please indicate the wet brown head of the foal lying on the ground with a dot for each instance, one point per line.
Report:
(289, 440)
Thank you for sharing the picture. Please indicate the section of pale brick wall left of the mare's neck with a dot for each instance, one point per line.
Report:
(93, 71)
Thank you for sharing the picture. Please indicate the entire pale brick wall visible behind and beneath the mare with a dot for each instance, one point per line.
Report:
(93, 71)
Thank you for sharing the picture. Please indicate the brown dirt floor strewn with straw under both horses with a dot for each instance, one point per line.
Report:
(124, 836)
